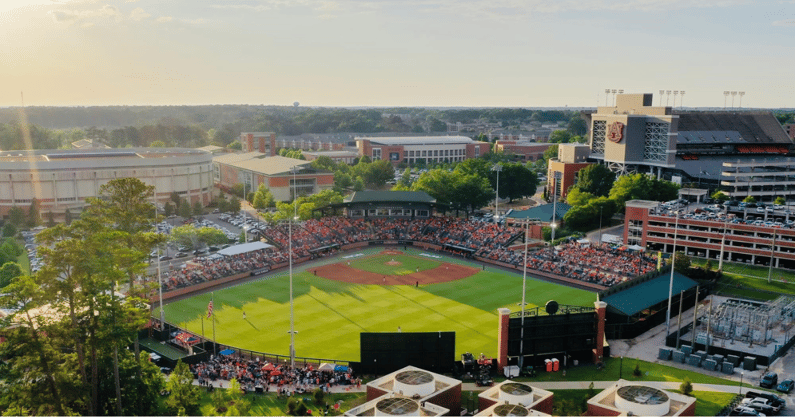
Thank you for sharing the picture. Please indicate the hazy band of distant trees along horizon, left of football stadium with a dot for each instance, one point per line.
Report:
(194, 126)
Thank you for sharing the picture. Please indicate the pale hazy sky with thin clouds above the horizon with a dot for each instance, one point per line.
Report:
(424, 53)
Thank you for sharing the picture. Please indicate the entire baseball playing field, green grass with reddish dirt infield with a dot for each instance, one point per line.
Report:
(370, 290)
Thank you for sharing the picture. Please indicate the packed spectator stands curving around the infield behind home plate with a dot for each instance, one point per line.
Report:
(598, 264)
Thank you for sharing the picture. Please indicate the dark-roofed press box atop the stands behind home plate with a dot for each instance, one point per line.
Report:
(385, 204)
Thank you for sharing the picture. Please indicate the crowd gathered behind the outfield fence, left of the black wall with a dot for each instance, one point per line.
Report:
(256, 375)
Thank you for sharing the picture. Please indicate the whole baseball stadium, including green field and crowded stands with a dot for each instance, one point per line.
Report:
(389, 274)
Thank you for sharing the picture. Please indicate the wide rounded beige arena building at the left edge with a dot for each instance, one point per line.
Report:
(62, 180)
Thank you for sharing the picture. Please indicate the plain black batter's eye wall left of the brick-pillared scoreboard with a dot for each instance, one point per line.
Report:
(383, 353)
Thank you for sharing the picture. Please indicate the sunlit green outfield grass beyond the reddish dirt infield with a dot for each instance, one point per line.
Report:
(329, 315)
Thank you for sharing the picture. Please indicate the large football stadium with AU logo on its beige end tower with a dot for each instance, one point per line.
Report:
(744, 153)
